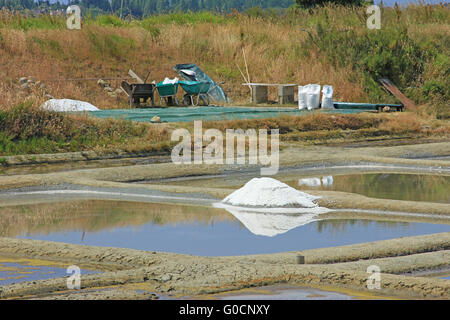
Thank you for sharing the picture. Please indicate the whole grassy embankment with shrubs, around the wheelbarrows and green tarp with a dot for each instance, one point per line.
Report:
(330, 45)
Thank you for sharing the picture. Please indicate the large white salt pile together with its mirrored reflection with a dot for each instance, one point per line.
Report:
(269, 207)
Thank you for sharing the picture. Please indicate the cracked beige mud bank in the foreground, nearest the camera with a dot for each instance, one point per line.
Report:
(182, 275)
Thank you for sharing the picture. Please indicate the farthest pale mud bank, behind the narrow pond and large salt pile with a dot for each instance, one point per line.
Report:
(309, 158)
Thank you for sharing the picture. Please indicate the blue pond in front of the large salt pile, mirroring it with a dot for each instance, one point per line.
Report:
(195, 230)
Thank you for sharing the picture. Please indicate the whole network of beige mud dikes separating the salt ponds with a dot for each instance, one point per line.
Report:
(135, 274)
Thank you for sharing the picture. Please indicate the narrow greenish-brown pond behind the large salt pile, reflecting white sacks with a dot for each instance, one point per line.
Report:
(411, 187)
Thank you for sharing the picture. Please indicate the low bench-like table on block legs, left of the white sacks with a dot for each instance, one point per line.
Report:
(259, 92)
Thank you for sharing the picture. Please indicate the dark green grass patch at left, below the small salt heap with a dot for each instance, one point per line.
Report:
(24, 130)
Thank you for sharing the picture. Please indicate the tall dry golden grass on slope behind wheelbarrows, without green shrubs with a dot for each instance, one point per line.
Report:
(278, 50)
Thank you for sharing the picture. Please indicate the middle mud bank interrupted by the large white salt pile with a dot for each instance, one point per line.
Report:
(345, 205)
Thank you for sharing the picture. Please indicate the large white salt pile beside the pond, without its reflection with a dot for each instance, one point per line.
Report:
(269, 193)
